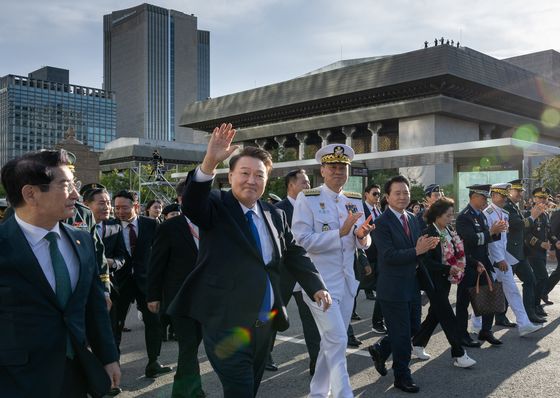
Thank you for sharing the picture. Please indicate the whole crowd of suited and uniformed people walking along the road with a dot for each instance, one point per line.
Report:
(74, 259)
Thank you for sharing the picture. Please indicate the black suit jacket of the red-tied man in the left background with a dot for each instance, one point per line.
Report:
(137, 264)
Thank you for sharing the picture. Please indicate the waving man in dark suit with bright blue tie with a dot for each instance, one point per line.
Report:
(234, 290)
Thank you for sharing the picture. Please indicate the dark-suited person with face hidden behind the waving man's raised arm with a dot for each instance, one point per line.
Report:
(173, 258)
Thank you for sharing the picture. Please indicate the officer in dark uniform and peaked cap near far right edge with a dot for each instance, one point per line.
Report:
(539, 241)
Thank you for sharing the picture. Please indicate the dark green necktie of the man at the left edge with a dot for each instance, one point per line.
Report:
(63, 285)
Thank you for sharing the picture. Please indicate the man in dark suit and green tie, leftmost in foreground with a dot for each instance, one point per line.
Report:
(52, 301)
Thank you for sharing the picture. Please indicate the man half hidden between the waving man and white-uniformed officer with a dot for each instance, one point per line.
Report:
(296, 181)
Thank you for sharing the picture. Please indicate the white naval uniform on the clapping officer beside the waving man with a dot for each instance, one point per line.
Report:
(318, 215)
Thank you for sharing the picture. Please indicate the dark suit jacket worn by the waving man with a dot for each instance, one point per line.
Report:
(227, 287)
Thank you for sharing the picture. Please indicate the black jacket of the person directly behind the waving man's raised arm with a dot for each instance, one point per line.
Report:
(173, 258)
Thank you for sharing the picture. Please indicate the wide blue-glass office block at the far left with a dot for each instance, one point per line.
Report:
(36, 111)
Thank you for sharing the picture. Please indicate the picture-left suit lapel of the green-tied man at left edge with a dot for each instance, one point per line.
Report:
(27, 263)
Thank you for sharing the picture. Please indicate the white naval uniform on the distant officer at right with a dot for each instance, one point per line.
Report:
(498, 252)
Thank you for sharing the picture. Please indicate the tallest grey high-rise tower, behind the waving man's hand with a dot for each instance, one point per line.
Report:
(156, 62)
